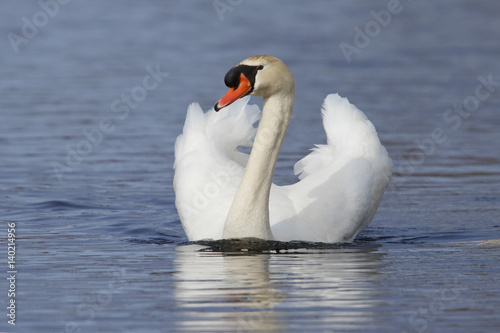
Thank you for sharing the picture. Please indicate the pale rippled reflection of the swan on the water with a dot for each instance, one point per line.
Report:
(333, 288)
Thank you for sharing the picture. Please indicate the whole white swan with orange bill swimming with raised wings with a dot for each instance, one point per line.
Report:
(223, 193)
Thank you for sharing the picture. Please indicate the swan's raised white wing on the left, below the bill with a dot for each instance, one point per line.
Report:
(208, 166)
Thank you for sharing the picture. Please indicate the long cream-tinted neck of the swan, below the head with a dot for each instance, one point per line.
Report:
(249, 212)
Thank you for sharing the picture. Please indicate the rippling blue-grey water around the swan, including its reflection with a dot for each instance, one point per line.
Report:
(99, 243)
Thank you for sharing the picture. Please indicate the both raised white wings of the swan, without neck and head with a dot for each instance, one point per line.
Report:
(340, 187)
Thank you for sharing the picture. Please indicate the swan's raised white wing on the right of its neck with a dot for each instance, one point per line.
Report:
(341, 183)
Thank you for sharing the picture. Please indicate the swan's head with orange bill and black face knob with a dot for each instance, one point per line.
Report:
(261, 75)
